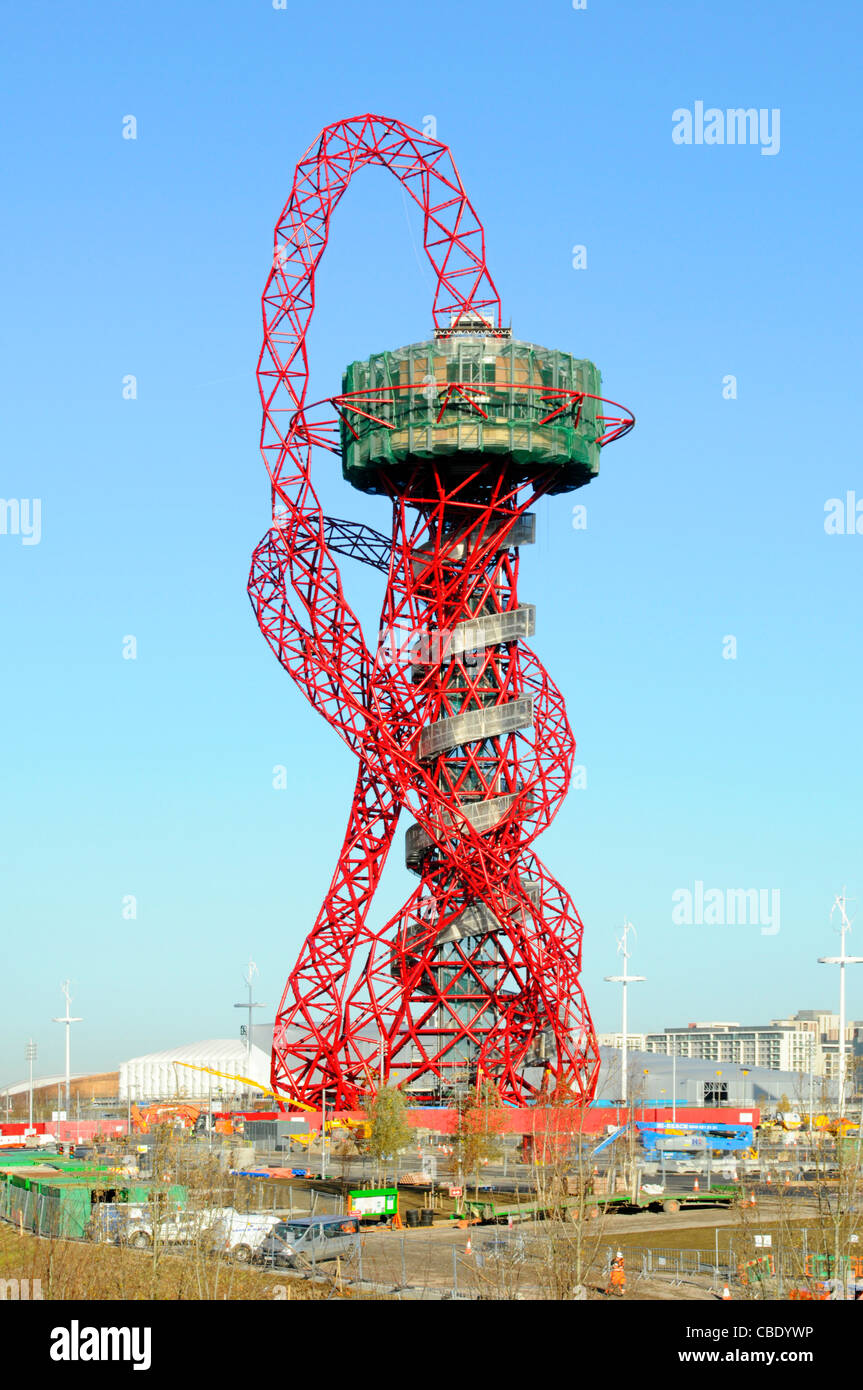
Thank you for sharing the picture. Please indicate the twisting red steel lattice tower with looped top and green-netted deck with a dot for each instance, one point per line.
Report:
(452, 717)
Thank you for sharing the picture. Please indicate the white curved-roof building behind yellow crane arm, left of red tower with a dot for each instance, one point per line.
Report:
(158, 1077)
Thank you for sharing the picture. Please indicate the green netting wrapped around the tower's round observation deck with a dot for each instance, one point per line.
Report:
(507, 382)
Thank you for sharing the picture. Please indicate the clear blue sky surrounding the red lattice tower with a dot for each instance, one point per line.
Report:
(148, 258)
